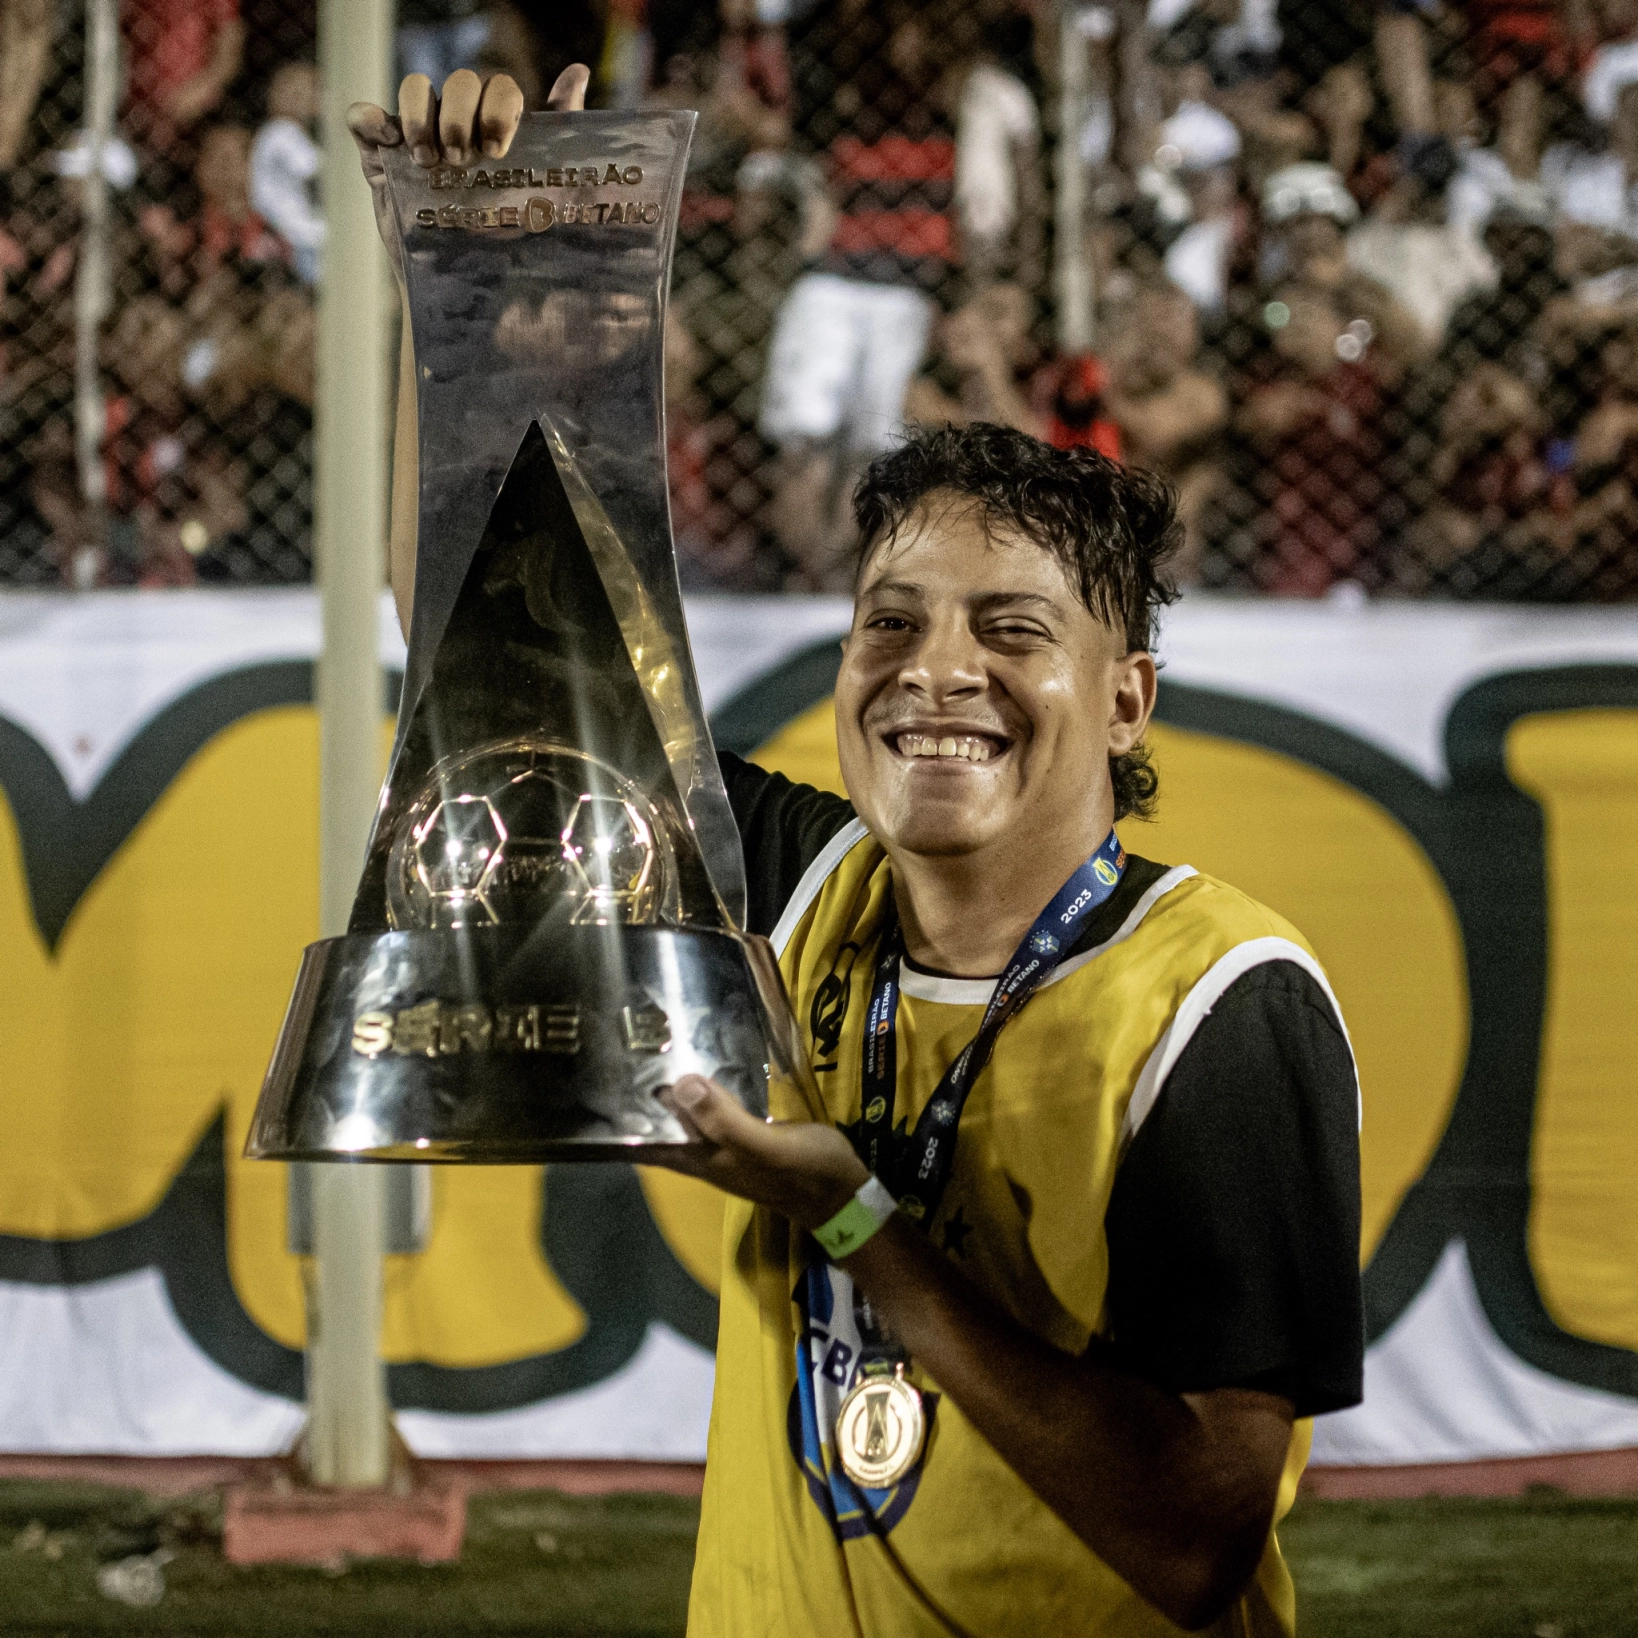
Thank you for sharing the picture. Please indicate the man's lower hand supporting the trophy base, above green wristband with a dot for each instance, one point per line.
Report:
(803, 1169)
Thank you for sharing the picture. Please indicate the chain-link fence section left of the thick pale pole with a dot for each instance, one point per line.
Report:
(189, 451)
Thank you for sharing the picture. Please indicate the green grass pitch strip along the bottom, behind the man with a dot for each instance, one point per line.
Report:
(1542, 1567)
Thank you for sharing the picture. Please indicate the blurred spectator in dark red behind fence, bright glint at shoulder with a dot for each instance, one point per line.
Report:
(1318, 432)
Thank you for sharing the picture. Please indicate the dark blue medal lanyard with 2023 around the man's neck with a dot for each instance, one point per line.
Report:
(916, 1167)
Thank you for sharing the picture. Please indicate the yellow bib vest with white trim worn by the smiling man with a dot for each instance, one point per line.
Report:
(787, 1545)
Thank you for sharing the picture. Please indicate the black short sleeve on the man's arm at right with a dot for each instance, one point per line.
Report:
(1234, 1224)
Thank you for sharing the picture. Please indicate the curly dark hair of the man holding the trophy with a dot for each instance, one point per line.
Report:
(1111, 528)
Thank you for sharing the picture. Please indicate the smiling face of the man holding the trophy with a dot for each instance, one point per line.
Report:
(979, 700)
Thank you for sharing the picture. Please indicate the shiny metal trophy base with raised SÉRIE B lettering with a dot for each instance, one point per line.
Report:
(517, 1044)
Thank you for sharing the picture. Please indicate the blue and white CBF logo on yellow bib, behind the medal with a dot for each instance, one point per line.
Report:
(828, 1346)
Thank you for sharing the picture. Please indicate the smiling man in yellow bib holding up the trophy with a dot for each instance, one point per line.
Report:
(1062, 1385)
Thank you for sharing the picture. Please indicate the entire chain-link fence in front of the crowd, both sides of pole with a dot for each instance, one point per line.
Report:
(1360, 279)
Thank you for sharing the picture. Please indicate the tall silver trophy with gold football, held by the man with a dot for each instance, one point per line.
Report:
(548, 926)
